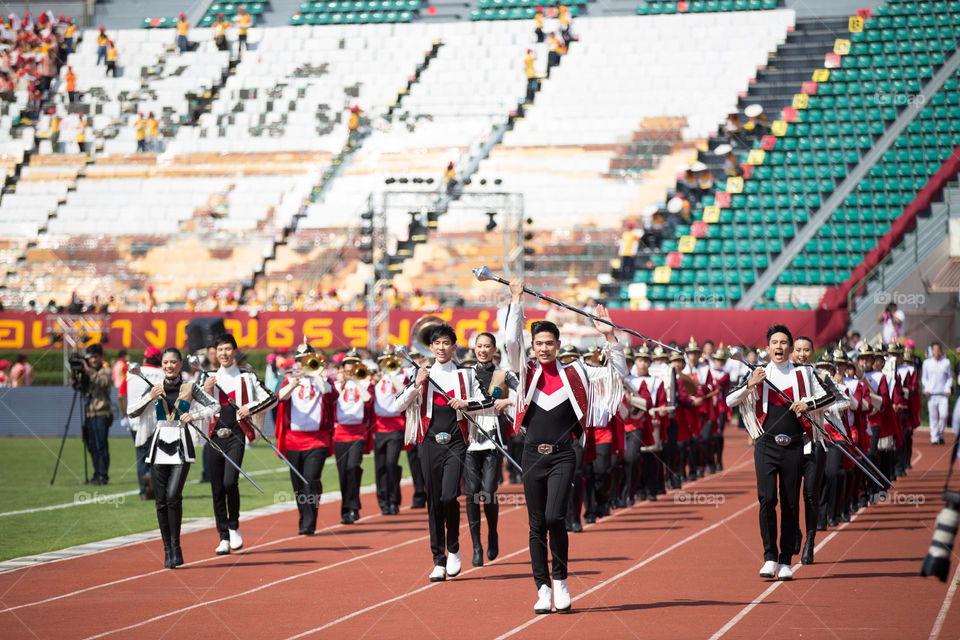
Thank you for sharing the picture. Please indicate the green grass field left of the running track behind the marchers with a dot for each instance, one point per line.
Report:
(26, 465)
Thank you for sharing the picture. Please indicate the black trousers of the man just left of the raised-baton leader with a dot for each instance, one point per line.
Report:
(442, 466)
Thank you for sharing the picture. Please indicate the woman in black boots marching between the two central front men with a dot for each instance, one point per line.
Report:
(482, 465)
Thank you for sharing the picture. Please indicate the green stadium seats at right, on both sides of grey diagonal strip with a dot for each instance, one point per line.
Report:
(711, 264)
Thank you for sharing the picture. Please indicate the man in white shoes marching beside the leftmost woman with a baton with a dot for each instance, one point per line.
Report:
(231, 433)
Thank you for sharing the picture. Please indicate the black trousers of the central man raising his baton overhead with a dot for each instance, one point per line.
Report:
(546, 487)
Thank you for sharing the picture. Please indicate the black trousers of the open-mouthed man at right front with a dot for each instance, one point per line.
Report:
(778, 472)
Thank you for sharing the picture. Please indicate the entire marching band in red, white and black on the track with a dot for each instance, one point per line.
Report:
(584, 434)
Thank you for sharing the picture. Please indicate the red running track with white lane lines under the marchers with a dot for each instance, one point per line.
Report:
(683, 567)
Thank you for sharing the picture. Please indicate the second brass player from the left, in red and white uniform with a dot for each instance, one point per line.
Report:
(351, 433)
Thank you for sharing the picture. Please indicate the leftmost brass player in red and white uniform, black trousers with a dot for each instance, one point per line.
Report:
(305, 434)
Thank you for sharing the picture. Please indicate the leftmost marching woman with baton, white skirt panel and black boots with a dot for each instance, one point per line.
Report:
(178, 404)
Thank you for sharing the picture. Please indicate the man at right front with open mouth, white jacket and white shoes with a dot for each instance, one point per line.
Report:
(779, 438)
